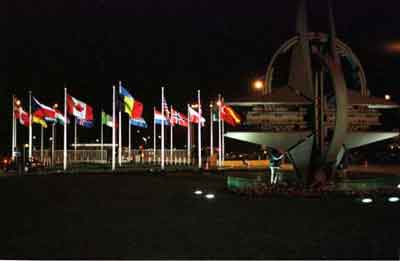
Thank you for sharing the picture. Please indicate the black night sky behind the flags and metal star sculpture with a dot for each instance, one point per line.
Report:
(215, 46)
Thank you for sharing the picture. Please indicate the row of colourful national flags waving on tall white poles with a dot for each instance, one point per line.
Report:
(42, 114)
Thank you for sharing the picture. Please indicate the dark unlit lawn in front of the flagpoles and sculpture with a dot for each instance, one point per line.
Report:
(143, 217)
